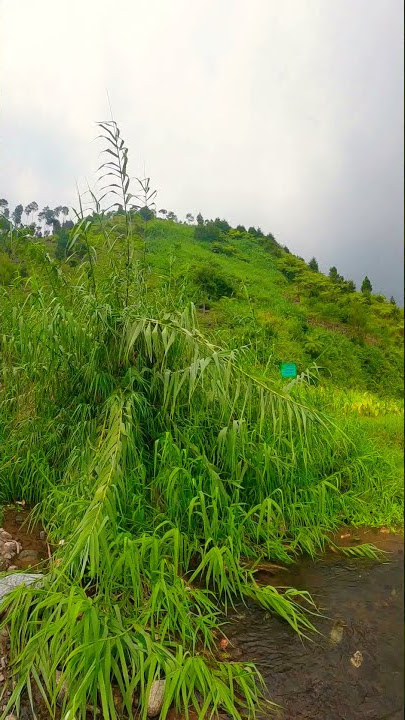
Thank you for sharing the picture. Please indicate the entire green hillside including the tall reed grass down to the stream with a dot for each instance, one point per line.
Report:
(143, 416)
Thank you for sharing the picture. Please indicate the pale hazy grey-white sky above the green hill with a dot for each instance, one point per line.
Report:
(286, 114)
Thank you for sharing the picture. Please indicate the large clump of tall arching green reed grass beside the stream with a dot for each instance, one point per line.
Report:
(159, 465)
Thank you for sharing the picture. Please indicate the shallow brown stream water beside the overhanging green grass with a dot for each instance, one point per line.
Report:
(363, 600)
